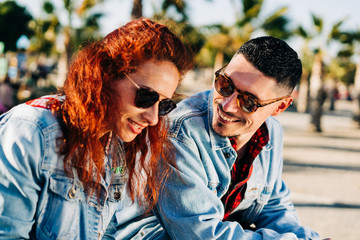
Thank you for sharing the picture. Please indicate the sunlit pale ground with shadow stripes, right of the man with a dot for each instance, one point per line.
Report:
(323, 171)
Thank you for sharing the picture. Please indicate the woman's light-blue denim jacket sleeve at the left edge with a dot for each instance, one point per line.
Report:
(21, 153)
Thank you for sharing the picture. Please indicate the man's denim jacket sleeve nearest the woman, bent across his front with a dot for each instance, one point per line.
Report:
(188, 209)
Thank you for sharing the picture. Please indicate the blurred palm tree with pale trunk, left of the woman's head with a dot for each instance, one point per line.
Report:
(47, 30)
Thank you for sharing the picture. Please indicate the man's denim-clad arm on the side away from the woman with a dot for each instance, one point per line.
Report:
(279, 213)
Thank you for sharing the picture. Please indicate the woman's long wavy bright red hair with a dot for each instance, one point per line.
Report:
(89, 104)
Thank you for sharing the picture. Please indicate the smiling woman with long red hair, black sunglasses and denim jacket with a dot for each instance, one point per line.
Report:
(67, 160)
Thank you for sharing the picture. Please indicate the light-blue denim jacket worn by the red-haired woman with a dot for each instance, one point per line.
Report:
(37, 199)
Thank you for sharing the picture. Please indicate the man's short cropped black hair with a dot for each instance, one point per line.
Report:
(274, 58)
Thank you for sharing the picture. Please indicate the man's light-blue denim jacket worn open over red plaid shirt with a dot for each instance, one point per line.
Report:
(190, 205)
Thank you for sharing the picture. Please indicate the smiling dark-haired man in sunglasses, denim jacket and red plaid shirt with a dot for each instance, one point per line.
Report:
(227, 182)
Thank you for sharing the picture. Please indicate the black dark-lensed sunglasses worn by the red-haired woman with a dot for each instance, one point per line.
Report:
(146, 97)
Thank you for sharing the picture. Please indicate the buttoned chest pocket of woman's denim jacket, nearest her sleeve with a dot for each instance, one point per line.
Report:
(60, 219)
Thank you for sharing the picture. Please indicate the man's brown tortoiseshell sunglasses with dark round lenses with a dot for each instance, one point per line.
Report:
(246, 101)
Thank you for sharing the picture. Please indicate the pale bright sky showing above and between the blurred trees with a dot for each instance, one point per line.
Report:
(202, 12)
